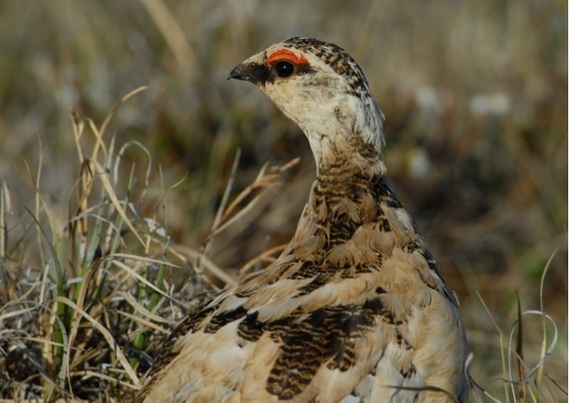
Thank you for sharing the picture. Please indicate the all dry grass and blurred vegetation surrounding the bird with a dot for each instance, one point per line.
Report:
(115, 222)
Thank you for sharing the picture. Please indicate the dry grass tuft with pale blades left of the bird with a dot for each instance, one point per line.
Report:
(107, 291)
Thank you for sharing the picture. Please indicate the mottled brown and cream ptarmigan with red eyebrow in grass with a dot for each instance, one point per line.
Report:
(354, 309)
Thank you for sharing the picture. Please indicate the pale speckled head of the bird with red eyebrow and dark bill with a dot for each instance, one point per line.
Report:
(323, 90)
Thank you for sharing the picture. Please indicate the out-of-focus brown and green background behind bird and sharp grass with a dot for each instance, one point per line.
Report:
(474, 93)
